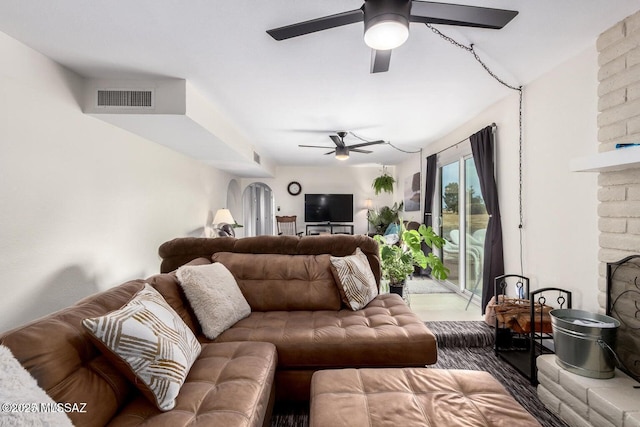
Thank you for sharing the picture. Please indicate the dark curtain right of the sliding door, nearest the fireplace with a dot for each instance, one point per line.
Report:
(482, 149)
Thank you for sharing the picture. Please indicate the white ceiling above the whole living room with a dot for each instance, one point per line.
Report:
(298, 91)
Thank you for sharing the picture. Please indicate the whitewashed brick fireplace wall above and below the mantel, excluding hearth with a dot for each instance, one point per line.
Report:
(618, 122)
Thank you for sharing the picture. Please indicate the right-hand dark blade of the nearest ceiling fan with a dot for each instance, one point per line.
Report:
(456, 14)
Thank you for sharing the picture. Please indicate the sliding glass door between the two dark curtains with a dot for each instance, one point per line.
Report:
(462, 221)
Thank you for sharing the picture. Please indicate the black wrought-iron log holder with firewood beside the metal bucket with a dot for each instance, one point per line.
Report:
(520, 347)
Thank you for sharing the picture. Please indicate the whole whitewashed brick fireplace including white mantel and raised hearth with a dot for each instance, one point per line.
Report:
(613, 402)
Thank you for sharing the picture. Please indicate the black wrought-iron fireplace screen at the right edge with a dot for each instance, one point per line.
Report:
(623, 304)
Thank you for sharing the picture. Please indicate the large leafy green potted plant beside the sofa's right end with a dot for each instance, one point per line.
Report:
(399, 259)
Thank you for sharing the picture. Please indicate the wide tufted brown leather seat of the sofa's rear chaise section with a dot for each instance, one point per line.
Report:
(385, 333)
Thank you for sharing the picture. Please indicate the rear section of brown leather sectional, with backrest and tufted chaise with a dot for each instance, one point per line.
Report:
(295, 305)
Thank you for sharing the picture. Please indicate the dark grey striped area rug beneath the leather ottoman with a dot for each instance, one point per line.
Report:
(461, 345)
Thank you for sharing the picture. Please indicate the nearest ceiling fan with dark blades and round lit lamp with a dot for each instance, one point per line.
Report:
(386, 23)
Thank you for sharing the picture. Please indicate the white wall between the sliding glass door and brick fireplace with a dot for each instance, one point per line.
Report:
(560, 231)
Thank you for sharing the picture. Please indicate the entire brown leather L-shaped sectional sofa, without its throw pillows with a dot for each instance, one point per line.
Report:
(297, 325)
